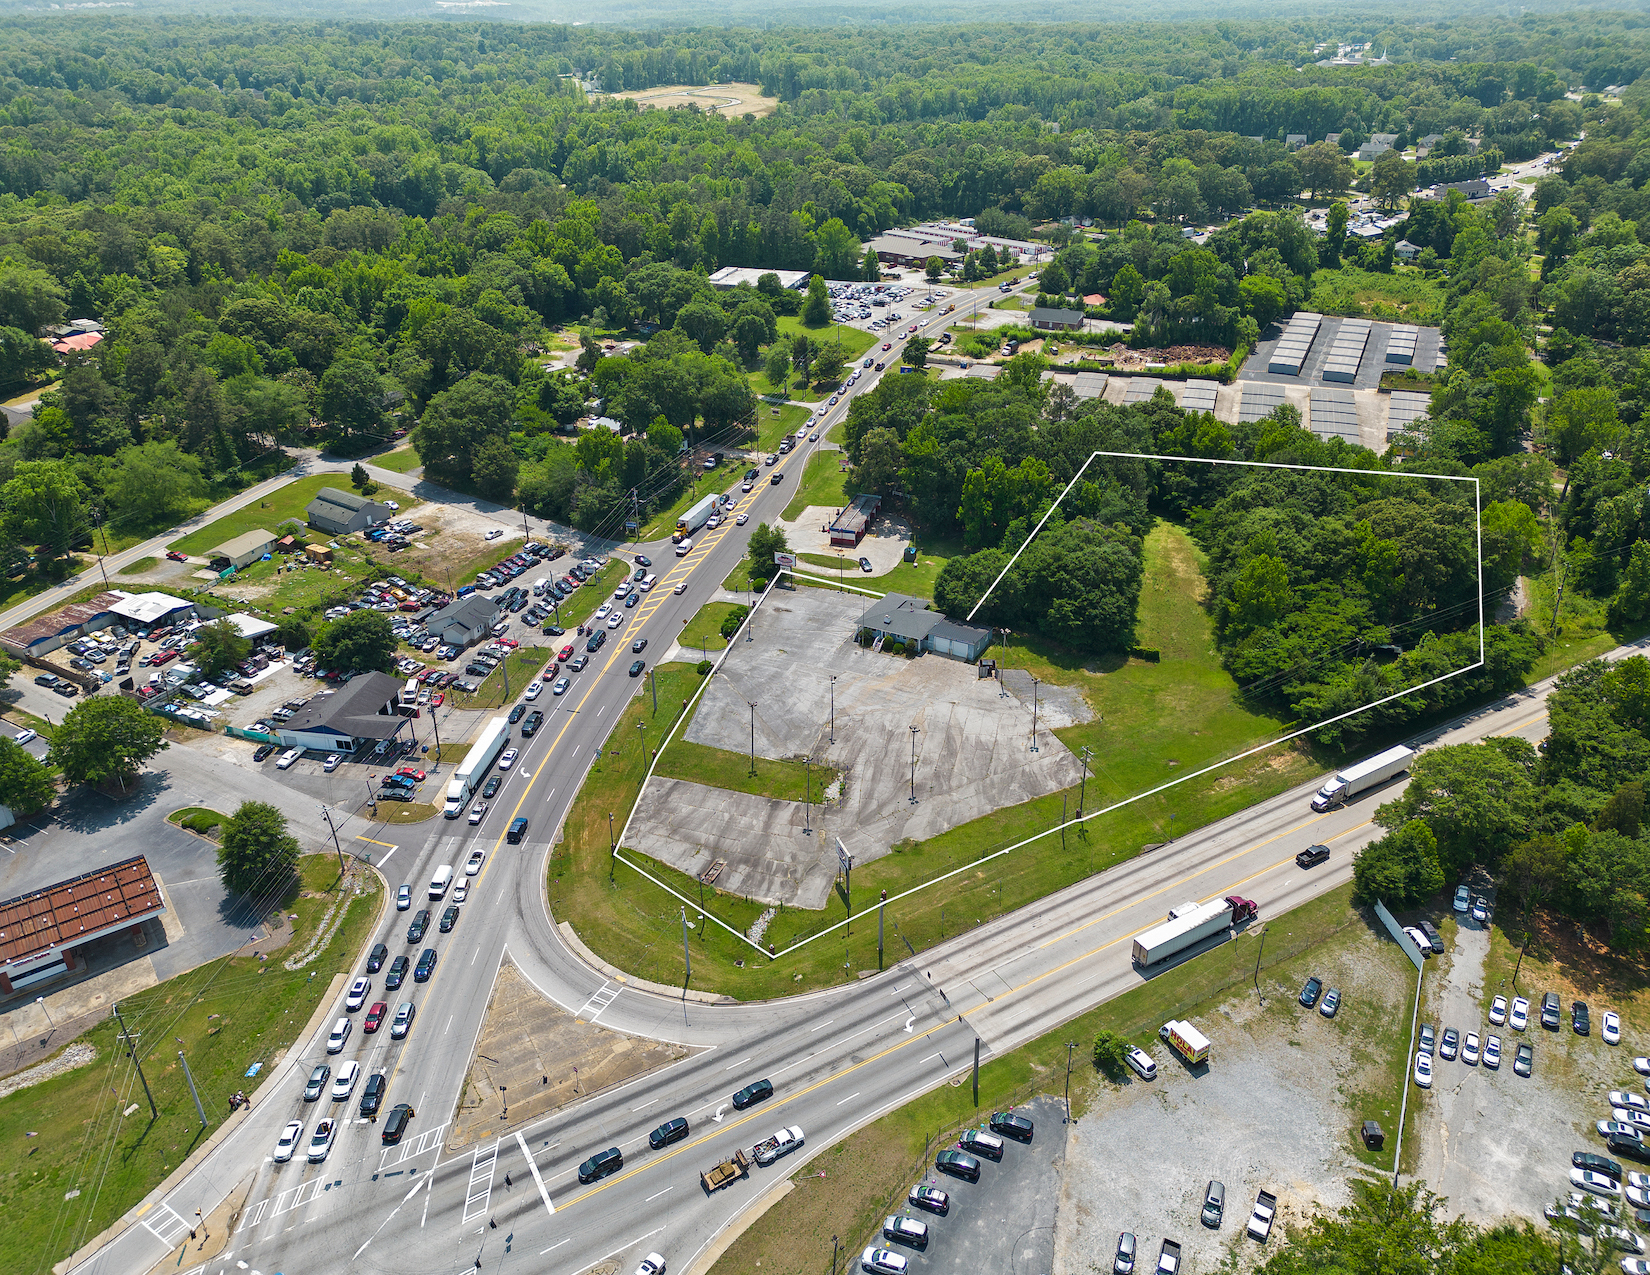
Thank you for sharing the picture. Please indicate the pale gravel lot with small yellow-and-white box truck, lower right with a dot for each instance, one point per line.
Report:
(1268, 1113)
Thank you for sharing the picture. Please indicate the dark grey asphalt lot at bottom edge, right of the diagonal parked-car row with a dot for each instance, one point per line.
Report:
(1004, 1223)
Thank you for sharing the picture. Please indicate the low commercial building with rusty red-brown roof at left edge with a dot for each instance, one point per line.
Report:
(44, 931)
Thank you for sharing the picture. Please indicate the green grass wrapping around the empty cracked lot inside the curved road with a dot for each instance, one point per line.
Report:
(1157, 718)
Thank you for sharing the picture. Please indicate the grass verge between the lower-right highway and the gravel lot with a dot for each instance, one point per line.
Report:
(852, 1187)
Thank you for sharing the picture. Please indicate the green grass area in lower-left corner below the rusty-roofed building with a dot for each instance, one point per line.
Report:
(229, 1014)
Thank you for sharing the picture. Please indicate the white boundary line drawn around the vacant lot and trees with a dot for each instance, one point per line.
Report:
(1116, 806)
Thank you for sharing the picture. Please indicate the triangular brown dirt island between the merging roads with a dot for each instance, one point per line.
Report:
(540, 1058)
